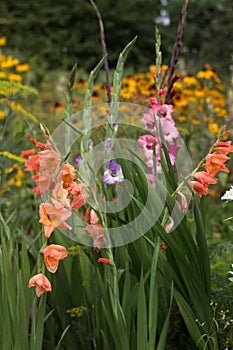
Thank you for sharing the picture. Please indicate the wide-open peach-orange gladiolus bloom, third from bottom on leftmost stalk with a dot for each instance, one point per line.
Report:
(52, 217)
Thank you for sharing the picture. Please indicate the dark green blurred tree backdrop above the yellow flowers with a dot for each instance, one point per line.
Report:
(55, 35)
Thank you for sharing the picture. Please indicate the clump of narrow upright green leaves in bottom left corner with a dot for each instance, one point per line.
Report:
(21, 313)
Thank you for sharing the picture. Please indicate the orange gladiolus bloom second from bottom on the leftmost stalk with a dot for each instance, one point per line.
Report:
(52, 255)
